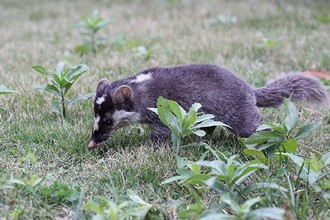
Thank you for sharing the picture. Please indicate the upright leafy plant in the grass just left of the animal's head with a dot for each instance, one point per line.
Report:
(59, 83)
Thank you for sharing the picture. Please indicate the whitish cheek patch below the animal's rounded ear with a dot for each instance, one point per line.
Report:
(122, 118)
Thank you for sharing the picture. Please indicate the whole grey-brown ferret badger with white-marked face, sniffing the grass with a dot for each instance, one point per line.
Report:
(221, 93)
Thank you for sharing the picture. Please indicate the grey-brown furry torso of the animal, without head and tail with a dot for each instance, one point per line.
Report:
(220, 92)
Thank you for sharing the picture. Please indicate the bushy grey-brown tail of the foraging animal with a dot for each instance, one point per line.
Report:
(298, 86)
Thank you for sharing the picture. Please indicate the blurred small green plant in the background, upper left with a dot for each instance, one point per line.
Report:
(89, 27)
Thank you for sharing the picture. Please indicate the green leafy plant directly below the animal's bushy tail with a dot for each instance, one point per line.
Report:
(279, 137)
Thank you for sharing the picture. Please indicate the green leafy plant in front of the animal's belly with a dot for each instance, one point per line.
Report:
(183, 123)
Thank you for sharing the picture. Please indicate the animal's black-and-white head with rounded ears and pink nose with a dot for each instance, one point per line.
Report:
(113, 108)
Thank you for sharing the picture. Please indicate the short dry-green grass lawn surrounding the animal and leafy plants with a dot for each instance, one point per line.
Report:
(48, 156)
